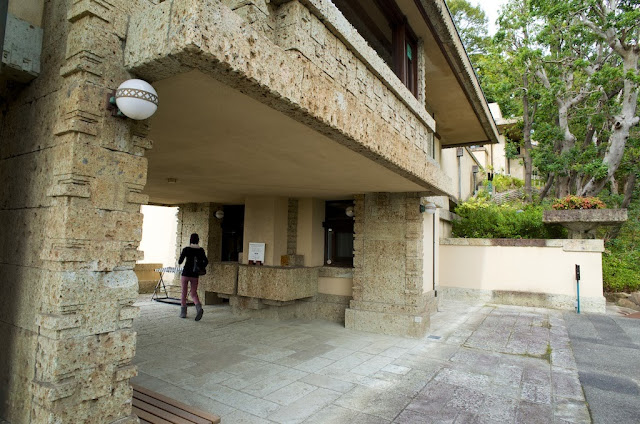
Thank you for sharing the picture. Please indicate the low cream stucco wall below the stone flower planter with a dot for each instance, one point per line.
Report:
(494, 267)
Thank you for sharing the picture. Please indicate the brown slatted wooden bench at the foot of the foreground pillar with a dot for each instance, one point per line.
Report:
(152, 407)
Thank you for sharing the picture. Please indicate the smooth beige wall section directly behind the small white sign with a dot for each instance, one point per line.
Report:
(265, 221)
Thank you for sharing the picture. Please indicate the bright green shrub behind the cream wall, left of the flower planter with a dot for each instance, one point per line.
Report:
(483, 219)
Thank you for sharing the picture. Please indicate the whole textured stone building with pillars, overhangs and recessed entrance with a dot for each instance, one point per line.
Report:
(281, 114)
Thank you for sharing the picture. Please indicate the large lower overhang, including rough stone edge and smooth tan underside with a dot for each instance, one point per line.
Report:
(239, 116)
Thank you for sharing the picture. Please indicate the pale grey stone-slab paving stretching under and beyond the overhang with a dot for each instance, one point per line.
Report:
(479, 364)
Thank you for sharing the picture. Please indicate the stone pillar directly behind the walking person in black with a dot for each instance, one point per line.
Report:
(200, 218)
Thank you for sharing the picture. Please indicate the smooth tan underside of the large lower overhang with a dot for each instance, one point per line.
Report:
(221, 146)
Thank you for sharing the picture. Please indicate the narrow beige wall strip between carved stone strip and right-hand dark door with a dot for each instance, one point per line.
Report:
(310, 236)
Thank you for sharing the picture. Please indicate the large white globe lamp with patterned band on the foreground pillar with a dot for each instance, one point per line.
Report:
(135, 99)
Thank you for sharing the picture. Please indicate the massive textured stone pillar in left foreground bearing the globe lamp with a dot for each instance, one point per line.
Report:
(71, 178)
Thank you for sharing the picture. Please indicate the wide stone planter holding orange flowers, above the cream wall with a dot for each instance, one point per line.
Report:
(582, 223)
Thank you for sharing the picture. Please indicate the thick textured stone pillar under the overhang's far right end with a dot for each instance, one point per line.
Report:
(389, 291)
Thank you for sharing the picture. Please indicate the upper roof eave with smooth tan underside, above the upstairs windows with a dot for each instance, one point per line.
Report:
(453, 95)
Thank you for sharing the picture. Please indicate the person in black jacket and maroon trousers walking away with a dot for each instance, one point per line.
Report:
(192, 254)
